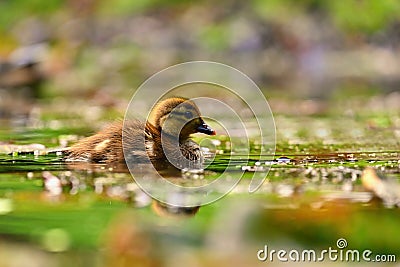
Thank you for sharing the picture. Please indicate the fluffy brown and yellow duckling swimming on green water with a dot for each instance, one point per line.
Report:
(164, 120)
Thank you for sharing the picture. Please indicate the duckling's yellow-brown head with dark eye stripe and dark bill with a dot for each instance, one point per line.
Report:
(178, 116)
